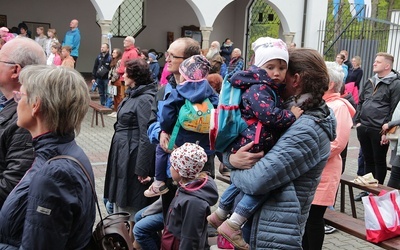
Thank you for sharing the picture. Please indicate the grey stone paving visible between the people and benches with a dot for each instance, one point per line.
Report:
(96, 143)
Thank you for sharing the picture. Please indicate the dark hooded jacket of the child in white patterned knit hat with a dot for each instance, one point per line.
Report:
(186, 218)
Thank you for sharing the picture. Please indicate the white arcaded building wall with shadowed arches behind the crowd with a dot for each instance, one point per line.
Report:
(161, 17)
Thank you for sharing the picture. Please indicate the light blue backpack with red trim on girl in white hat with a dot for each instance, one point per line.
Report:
(226, 121)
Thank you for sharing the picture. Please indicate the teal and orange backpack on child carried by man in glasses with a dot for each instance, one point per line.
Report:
(193, 117)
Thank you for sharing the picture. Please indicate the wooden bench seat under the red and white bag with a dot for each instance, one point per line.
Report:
(356, 227)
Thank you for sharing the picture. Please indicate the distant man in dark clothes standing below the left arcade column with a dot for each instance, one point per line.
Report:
(100, 71)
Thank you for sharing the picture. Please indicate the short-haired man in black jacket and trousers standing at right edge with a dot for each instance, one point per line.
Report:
(377, 101)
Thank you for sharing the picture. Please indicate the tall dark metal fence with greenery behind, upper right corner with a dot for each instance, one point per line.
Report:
(350, 28)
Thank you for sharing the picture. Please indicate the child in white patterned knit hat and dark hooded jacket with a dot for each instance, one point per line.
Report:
(186, 224)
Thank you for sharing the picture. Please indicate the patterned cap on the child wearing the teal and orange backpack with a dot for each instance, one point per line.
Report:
(195, 68)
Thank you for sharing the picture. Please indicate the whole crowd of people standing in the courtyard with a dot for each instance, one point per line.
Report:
(285, 166)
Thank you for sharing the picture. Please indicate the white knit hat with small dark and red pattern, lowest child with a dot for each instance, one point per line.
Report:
(188, 160)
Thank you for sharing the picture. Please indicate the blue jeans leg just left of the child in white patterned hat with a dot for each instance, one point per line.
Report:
(145, 230)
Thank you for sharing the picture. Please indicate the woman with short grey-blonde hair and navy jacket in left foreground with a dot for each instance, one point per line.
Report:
(53, 206)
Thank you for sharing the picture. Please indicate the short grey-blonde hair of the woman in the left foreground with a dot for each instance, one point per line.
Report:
(63, 94)
